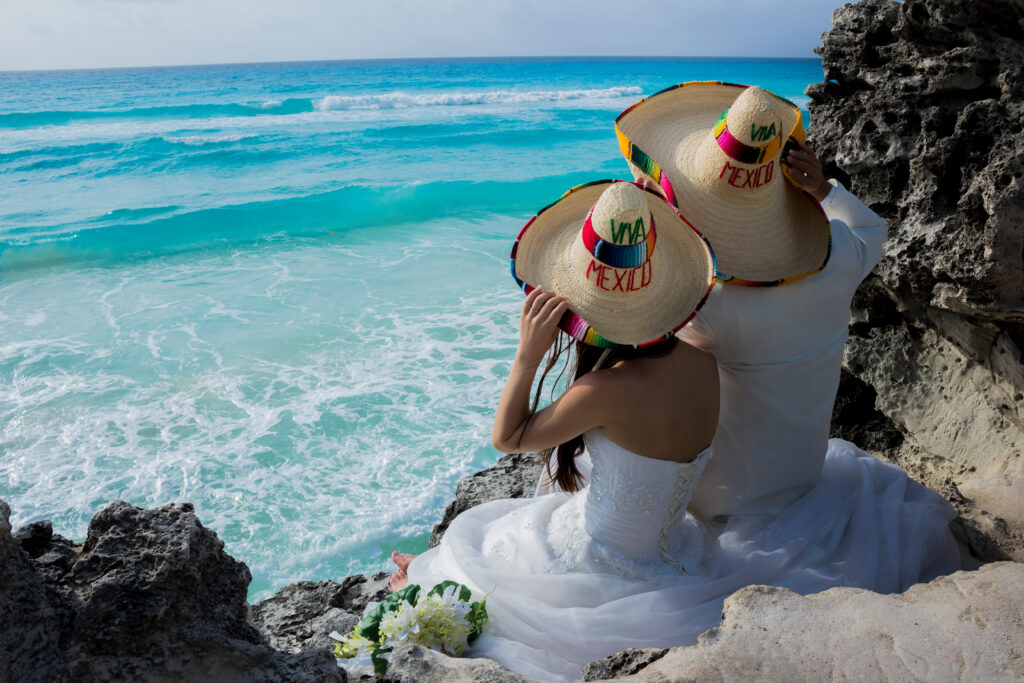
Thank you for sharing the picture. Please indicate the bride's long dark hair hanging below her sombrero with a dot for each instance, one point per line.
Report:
(582, 359)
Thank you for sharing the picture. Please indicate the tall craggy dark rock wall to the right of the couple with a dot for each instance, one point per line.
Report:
(922, 116)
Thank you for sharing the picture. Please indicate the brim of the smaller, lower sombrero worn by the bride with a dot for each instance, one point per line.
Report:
(682, 273)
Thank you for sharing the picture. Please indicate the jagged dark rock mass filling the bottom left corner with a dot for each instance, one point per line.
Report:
(150, 596)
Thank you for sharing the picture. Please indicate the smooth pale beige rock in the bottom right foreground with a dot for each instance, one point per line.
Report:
(967, 627)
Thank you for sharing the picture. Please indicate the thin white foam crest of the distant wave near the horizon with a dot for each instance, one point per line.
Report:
(401, 100)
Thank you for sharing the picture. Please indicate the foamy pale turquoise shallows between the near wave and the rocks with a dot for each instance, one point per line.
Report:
(317, 404)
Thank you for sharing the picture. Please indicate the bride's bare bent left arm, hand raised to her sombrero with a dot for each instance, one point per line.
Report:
(574, 413)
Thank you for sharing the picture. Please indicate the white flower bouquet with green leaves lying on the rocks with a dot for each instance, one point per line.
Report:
(444, 620)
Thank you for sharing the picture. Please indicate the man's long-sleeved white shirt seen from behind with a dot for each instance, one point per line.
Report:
(780, 351)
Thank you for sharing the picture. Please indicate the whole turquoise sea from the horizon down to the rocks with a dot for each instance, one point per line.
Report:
(281, 291)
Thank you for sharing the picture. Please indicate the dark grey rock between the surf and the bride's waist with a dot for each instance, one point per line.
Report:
(511, 477)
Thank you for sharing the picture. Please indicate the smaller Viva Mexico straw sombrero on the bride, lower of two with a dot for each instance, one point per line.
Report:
(633, 270)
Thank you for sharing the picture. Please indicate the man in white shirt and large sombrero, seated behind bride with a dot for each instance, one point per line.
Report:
(779, 318)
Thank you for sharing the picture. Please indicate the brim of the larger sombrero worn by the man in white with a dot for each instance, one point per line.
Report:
(776, 237)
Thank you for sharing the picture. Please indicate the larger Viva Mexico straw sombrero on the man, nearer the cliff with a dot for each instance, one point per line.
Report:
(714, 150)
